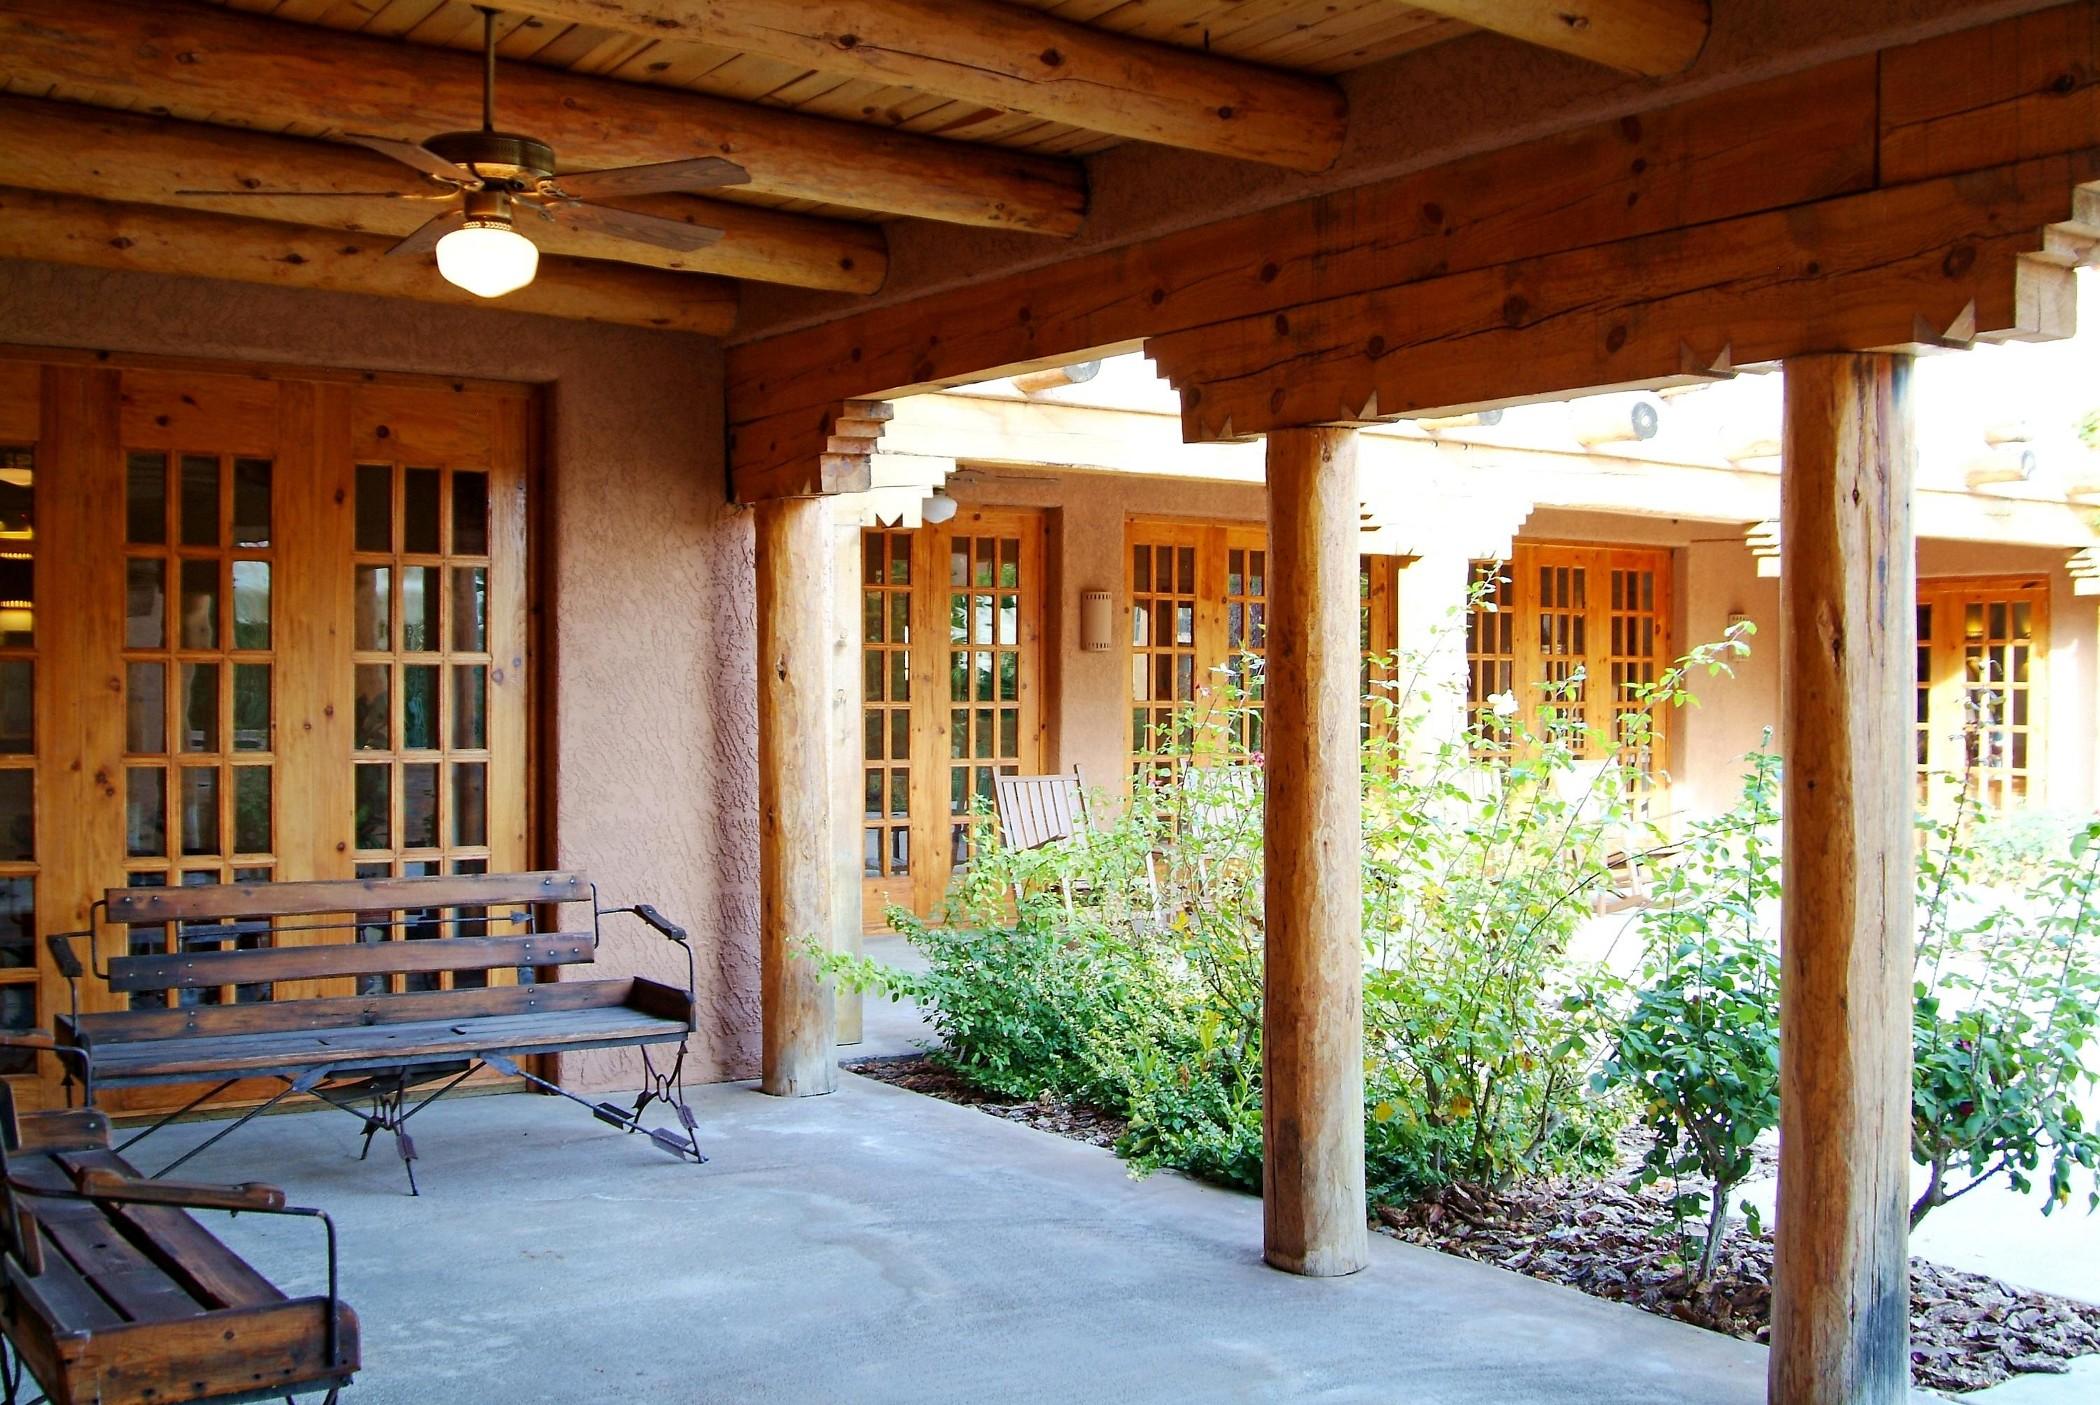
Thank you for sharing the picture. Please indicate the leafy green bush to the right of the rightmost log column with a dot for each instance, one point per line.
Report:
(2007, 1020)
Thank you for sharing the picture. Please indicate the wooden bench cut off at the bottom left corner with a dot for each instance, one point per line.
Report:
(117, 1297)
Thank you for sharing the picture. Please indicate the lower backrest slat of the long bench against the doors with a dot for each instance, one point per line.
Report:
(345, 959)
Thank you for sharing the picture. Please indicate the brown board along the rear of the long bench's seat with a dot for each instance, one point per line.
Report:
(114, 1028)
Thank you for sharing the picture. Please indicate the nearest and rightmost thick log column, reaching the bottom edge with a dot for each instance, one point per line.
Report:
(1841, 1295)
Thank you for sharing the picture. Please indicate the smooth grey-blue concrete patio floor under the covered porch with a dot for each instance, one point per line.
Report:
(883, 1246)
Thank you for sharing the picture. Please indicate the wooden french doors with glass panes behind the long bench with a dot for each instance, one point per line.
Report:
(255, 627)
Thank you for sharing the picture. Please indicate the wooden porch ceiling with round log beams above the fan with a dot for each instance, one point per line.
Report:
(969, 112)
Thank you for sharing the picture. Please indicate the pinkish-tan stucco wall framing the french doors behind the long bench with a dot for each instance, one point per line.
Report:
(654, 768)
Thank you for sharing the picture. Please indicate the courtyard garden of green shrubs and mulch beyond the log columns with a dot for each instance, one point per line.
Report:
(1570, 997)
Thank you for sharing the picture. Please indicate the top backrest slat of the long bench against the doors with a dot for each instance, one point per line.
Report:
(320, 896)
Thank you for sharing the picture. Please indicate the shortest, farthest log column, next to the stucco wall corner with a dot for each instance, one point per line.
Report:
(797, 793)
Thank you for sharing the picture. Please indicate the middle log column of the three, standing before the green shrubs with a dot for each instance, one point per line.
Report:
(1314, 1213)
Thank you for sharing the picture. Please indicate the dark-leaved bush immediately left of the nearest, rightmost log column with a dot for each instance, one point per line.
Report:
(1700, 1047)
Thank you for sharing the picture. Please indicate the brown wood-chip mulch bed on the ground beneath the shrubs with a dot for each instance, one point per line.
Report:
(1969, 1333)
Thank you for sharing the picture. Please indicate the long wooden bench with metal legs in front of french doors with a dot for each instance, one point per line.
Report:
(228, 950)
